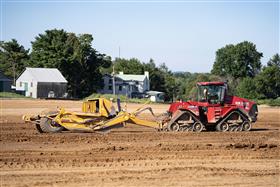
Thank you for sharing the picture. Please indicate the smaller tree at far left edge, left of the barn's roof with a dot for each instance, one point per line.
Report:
(13, 58)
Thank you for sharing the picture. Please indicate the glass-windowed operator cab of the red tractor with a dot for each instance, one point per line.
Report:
(211, 92)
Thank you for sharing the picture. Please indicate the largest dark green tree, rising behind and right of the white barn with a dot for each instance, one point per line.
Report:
(74, 56)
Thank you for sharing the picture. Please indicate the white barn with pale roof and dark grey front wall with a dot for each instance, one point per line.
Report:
(42, 83)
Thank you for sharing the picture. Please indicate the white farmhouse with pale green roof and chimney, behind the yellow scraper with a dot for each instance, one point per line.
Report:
(126, 84)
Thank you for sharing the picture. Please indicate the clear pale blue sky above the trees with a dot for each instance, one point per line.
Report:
(183, 34)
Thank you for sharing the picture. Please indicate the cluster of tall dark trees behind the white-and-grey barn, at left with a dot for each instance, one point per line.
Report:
(72, 54)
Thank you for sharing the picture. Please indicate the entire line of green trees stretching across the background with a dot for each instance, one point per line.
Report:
(83, 67)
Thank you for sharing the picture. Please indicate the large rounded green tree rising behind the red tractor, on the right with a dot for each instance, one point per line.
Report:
(237, 61)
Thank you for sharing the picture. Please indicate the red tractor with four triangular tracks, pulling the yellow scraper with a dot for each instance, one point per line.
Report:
(213, 110)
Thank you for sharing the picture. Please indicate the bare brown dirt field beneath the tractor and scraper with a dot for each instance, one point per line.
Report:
(135, 156)
